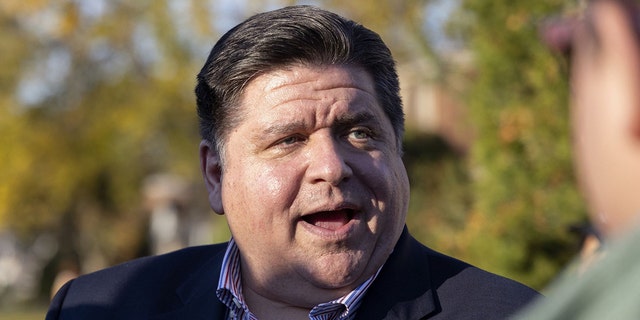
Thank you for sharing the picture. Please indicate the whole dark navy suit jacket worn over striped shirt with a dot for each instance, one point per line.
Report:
(415, 283)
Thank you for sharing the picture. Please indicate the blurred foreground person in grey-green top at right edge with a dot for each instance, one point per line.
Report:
(605, 113)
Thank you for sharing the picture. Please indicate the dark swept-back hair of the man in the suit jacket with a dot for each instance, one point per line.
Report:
(277, 39)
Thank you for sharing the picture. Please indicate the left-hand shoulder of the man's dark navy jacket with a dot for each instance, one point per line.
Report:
(141, 286)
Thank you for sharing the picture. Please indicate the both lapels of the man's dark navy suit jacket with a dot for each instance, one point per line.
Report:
(401, 290)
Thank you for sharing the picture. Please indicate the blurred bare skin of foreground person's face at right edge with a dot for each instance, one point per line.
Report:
(605, 115)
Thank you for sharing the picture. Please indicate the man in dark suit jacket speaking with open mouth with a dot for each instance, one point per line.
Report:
(302, 129)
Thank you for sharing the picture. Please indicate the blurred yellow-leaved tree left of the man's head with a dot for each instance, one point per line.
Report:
(94, 100)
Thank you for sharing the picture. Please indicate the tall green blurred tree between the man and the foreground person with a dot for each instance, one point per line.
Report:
(524, 191)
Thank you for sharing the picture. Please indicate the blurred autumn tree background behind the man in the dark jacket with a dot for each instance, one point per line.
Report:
(99, 136)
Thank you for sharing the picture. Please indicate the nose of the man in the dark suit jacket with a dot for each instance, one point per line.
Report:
(327, 162)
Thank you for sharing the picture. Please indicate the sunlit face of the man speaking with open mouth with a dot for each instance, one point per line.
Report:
(314, 188)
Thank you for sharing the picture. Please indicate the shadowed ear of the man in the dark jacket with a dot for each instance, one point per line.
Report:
(211, 168)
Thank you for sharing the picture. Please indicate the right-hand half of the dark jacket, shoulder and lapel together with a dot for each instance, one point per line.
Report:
(417, 281)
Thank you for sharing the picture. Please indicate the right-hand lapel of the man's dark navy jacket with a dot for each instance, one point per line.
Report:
(403, 288)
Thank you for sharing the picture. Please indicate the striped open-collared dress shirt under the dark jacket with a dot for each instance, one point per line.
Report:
(229, 292)
